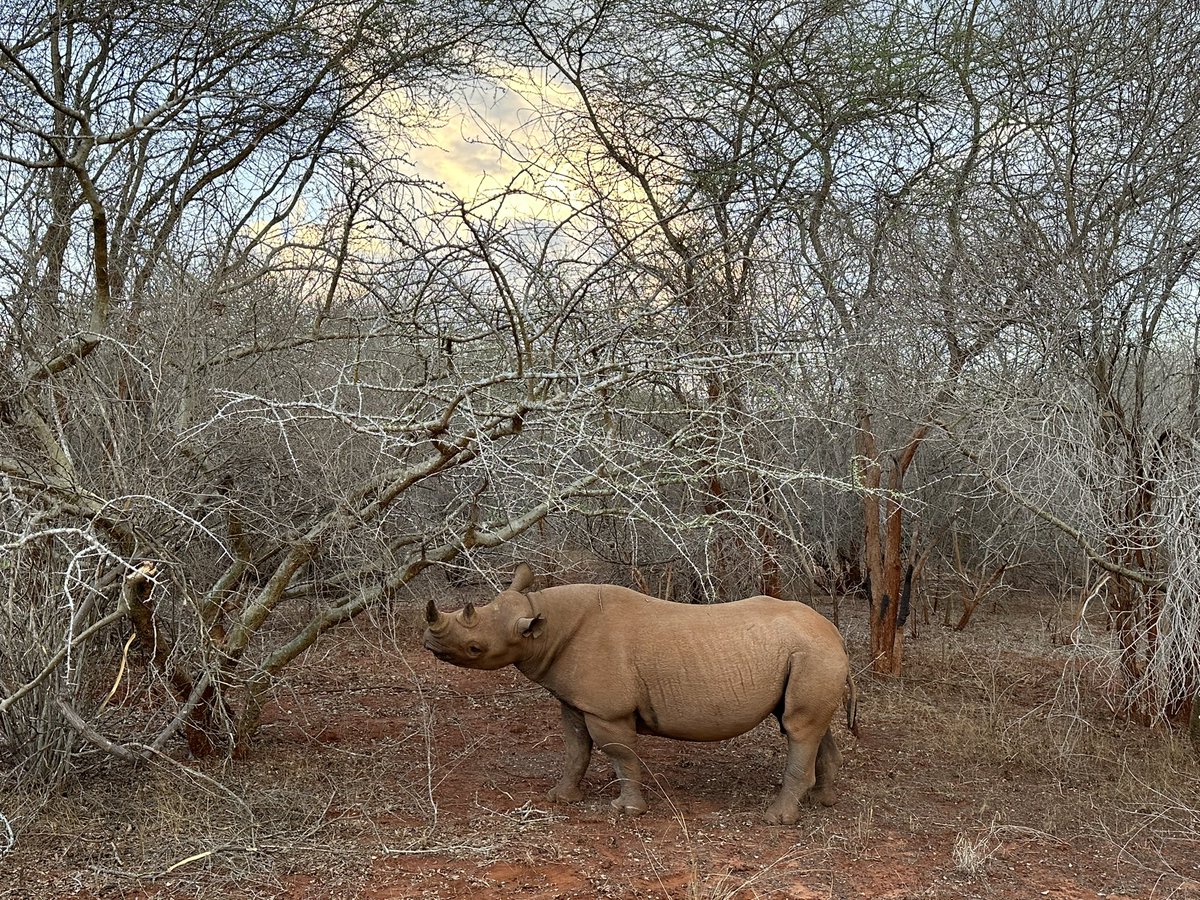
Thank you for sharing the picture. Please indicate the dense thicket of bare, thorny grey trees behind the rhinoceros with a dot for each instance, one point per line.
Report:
(820, 290)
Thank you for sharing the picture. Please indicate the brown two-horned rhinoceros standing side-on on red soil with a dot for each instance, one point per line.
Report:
(622, 663)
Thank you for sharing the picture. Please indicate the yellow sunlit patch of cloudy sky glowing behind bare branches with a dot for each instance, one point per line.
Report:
(493, 157)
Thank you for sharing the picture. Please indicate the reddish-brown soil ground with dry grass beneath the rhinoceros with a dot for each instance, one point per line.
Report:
(992, 770)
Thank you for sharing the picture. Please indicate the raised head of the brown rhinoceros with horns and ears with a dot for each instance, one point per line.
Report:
(491, 637)
